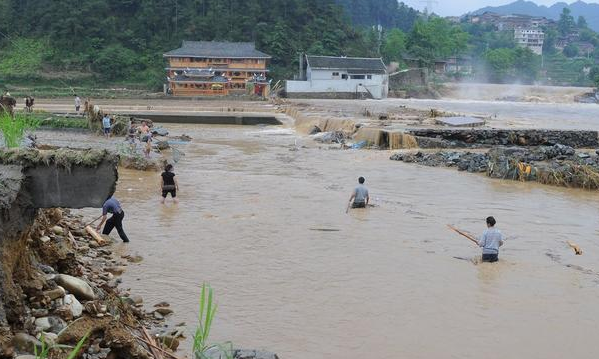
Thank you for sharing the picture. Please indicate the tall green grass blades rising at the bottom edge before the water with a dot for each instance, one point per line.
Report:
(201, 349)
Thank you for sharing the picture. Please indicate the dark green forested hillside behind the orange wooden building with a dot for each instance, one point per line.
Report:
(125, 39)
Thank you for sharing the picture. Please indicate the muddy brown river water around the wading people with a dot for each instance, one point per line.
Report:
(383, 282)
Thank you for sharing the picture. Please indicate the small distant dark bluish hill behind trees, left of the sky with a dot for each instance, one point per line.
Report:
(387, 13)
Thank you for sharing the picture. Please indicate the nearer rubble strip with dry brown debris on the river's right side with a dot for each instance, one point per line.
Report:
(556, 165)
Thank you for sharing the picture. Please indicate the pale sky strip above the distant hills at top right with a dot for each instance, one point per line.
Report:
(460, 7)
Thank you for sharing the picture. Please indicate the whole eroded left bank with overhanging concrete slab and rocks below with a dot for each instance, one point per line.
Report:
(57, 284)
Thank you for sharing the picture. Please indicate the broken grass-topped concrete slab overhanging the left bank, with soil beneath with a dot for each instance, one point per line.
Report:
(30, 180)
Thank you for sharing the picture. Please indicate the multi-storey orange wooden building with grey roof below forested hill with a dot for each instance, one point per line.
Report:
(205, 68)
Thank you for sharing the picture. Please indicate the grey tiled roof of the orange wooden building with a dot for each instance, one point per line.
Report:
(216, 49)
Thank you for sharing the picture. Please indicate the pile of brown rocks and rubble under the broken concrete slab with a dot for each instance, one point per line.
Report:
(69, 289)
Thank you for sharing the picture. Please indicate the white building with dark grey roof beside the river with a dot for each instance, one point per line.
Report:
(340, 77)
